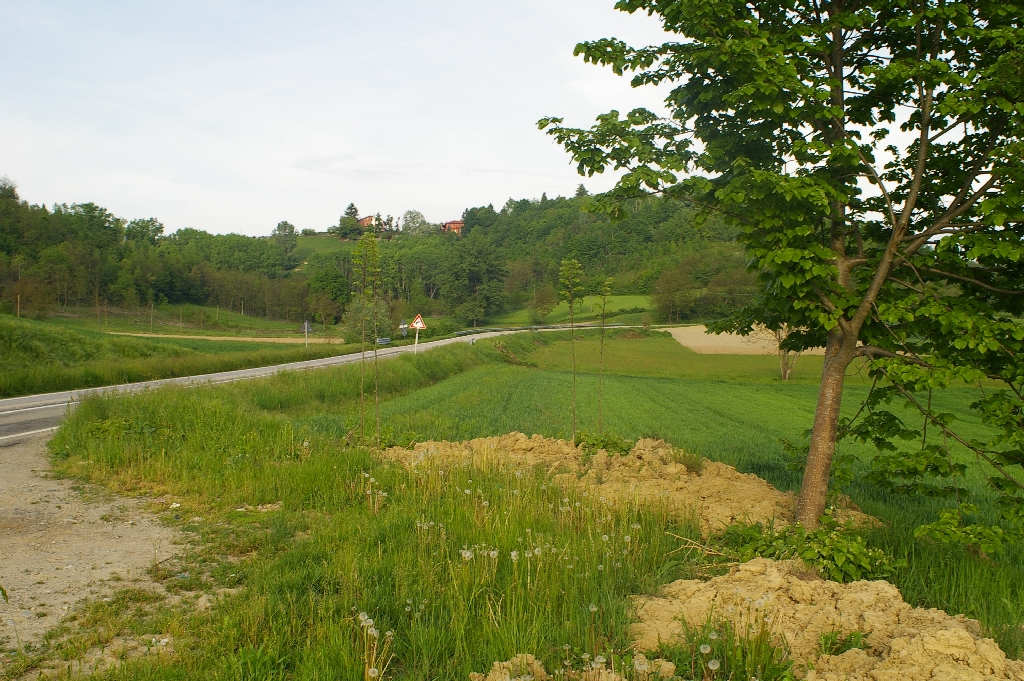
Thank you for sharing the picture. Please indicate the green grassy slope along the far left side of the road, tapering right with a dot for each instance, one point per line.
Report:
(39, 357)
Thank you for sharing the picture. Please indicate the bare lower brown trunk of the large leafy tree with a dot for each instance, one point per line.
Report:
(839, 354)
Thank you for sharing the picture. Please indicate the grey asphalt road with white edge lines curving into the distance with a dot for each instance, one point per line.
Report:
(22, 417)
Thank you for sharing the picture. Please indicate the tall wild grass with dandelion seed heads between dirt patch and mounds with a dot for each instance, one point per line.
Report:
(465, 566)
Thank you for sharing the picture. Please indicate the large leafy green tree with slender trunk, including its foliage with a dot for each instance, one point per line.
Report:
(872, 154)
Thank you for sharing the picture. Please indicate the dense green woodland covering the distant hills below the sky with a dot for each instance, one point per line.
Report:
(82, 258)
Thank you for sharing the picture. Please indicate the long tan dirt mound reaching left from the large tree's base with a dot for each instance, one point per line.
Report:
(653, 473)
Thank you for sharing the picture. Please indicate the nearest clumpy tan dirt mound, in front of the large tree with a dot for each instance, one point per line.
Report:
(905, 643)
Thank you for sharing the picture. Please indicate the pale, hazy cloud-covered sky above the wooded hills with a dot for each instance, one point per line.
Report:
(230, 116)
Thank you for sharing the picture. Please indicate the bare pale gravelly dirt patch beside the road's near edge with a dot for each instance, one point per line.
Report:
(59, 547)
